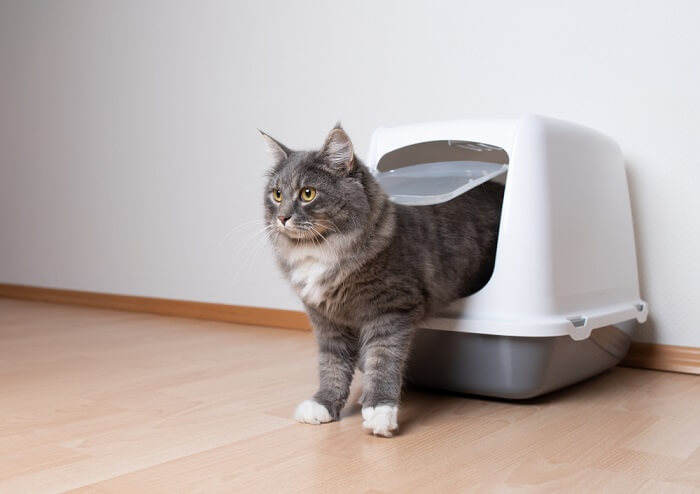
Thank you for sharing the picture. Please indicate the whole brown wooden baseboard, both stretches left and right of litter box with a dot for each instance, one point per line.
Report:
(642, 355)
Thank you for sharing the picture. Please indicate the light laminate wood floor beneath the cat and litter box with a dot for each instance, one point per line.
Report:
(113, 402)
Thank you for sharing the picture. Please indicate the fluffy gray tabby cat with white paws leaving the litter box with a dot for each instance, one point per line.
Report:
(369, 270)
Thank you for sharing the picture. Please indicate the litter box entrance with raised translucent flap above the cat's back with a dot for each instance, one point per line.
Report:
(437, 171)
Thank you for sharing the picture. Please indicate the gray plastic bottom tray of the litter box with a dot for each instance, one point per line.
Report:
(510, 366)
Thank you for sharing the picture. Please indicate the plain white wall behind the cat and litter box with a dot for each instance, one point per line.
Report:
(128, 149)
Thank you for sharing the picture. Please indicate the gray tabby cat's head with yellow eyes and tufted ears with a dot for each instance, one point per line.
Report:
(313, 195)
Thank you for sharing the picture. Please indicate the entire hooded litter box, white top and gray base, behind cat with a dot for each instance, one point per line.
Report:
(563, 298)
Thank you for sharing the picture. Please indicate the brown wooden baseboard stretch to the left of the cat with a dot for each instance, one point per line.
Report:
(256, 316)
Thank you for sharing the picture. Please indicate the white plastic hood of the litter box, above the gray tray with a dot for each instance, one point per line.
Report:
(565, 261)
